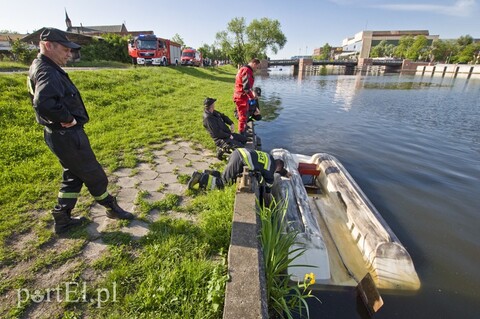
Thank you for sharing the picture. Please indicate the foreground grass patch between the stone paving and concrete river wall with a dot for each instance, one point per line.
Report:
(180, 270)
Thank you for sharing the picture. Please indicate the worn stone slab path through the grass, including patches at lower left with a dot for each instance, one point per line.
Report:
(154, 178)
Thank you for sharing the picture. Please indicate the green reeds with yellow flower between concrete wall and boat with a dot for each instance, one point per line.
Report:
(286, 299)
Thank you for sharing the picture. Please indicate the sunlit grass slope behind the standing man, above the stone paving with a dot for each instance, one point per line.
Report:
(129, 109)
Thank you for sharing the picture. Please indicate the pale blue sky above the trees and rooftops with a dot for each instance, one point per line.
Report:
(307, 24)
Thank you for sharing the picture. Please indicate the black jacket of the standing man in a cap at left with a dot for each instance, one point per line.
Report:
(55, 98)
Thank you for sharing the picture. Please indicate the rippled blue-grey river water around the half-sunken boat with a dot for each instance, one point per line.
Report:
(412, 143)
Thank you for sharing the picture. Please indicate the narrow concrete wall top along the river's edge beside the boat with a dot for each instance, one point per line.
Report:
(245, 293)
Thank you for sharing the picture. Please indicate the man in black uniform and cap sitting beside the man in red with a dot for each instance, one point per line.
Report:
(217, 124)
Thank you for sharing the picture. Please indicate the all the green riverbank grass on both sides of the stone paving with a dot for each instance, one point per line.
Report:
(178, 270)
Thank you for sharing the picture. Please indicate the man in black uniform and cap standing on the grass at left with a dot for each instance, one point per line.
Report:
(59, 108)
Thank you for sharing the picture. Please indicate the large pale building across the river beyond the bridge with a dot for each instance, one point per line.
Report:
(364, 41)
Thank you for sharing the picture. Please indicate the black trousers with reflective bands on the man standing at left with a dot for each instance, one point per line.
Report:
(80, 165)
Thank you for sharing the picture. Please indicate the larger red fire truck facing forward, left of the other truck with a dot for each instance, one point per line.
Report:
(148, 49)
